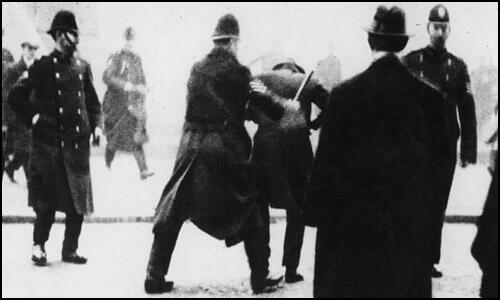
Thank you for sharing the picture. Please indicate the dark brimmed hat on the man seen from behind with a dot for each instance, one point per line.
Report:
(389, 22)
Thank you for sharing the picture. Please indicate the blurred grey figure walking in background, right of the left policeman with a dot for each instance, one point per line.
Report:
(124, 105)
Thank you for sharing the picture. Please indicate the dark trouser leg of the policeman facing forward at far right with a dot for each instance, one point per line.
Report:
(445, 171)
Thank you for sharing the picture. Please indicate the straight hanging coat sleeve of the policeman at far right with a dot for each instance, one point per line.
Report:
(468, 122)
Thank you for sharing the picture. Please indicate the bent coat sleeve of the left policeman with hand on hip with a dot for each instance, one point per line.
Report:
(20, 95)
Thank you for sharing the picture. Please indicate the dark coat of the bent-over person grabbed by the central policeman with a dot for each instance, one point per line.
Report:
(284, 157)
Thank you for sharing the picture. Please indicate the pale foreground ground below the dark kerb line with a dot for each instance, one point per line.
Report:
(201, 266)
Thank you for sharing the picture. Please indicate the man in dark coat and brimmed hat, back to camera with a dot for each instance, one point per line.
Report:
(369, 190)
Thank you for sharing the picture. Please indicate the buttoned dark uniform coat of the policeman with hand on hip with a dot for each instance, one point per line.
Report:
(60, 90)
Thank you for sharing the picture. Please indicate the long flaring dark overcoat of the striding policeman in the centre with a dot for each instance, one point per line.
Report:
(213, 181)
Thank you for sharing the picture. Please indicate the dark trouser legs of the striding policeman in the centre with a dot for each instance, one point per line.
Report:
(254, 240)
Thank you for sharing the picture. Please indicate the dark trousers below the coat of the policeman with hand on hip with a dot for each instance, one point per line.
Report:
(43, 224)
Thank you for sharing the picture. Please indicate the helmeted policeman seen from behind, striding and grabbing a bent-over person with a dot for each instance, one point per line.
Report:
(212, 183)
